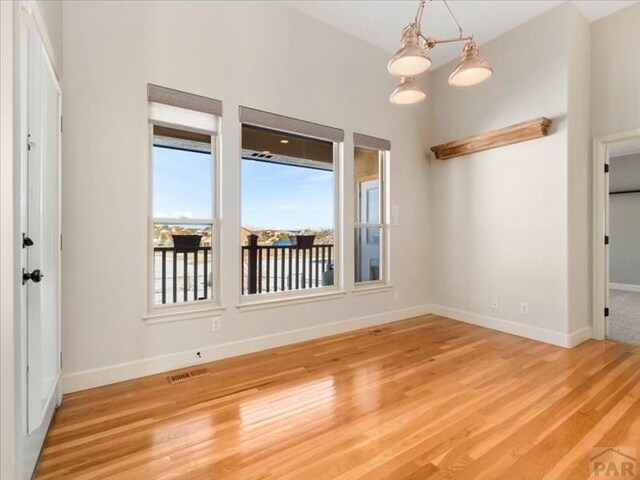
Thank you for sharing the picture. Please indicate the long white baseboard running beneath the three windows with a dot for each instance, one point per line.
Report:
(149, 366)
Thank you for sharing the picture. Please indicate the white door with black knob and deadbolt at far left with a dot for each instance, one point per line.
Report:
(41, 233)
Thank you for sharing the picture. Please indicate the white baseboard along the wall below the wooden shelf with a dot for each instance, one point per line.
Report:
(528, 331)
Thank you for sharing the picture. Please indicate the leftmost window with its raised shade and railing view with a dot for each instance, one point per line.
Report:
(183, 220)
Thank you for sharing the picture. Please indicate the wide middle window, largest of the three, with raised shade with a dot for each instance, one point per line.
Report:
(288, 205)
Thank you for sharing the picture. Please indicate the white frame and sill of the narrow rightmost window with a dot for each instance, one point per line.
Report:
(384, 283)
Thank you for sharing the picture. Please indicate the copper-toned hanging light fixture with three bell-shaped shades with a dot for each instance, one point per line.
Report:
(412, 60)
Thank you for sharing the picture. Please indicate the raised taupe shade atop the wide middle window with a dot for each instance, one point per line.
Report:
(258, 118)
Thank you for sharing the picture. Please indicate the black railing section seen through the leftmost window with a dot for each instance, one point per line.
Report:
(182, 275)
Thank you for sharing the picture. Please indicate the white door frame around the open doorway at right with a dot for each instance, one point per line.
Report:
(600, 227)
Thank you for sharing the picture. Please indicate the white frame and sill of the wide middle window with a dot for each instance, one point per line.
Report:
(270, 299)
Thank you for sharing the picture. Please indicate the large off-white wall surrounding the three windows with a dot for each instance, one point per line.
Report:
(257, 54)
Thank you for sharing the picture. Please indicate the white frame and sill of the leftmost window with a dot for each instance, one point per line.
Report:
(189, 310)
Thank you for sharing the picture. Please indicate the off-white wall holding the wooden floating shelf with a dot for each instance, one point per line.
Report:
(500, 219)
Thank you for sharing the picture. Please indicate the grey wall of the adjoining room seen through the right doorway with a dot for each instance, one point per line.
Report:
(624, 220)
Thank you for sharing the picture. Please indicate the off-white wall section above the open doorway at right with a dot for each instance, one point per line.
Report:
(615, 72)
